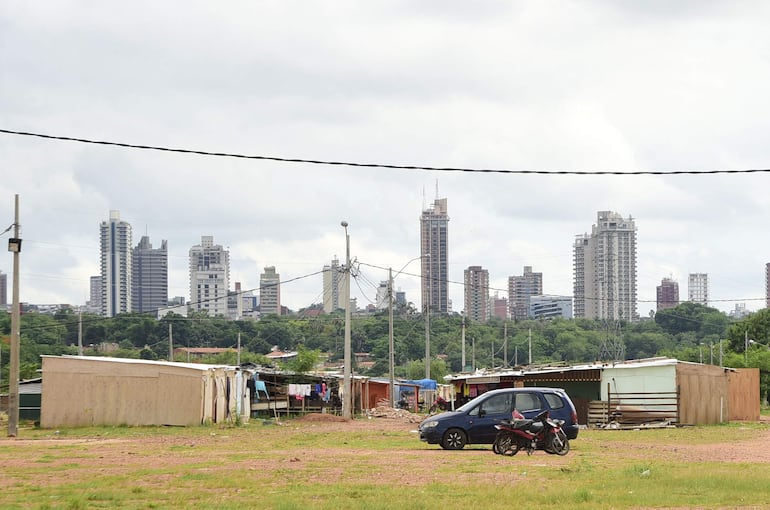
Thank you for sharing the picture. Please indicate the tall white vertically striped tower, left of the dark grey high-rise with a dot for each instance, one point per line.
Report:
(115, 265)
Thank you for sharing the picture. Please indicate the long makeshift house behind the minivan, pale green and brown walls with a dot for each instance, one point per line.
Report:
(636, 391)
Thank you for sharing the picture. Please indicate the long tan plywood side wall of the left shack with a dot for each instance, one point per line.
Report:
(85, 392)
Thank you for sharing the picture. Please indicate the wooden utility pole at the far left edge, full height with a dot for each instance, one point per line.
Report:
(14, 246)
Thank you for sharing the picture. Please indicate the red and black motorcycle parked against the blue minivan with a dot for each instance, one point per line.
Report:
(540, 433)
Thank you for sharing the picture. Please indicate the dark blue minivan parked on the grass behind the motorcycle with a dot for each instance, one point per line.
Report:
(474, 422)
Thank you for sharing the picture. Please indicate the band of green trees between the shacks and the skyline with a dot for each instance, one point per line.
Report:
(689, 332)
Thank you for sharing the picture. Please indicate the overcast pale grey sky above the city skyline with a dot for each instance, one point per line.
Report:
(530, 85)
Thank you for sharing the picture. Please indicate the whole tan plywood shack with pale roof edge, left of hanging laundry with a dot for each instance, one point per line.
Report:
(86, 391)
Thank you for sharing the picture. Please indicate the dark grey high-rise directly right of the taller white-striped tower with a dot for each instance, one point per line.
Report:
(149, 276)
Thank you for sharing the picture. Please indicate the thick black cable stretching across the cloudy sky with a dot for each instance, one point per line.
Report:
(381, 165)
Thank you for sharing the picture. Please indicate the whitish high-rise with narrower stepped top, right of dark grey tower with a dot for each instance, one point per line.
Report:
(209, 277)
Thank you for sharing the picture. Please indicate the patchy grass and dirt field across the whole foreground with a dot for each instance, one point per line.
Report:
(377, 464)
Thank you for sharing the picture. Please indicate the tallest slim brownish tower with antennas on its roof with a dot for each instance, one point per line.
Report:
(434, 251)
